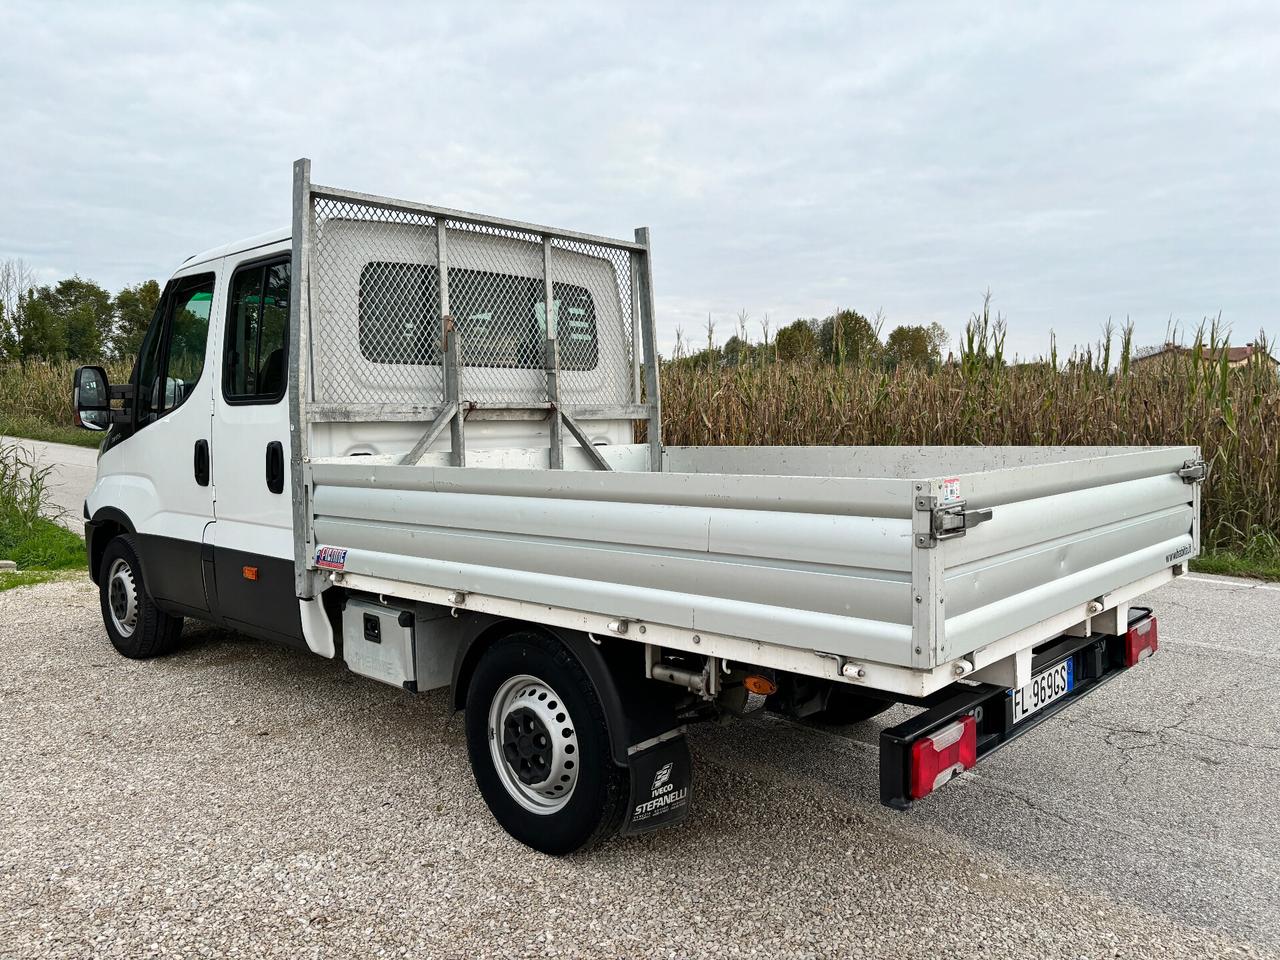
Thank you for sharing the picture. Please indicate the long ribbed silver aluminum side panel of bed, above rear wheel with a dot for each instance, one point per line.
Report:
(834, 583)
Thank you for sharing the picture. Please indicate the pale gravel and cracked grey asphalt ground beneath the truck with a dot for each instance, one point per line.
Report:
(243, 799)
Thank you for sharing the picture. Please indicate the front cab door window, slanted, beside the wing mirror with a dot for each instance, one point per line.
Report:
(173, 353)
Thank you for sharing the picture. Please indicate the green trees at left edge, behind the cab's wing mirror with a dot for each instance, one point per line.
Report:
(72, 319)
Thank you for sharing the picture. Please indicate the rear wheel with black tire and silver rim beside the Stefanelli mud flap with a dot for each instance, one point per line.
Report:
(540, 747)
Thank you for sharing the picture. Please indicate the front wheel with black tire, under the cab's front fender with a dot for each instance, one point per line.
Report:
(135, 625)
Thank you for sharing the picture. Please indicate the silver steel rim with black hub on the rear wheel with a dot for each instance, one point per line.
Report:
(540, 776)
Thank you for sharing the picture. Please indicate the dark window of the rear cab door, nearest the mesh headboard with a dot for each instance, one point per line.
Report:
(255, 359)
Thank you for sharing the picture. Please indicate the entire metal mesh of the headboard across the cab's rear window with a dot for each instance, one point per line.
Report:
(377, 299)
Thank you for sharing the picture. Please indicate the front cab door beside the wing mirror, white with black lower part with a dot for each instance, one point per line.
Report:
(162, 465)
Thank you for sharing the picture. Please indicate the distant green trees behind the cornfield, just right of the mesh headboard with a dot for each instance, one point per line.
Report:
(844, 339)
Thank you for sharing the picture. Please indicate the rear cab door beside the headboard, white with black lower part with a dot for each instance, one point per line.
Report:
(254, 545)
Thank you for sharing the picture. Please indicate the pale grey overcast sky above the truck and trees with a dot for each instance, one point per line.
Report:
(1081, 161)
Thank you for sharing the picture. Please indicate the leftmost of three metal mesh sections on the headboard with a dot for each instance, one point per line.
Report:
(376, 305)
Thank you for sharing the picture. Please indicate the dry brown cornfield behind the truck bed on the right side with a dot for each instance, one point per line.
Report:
(1192, 396)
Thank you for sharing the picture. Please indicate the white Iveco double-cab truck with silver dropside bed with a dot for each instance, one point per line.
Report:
(372, 438)
